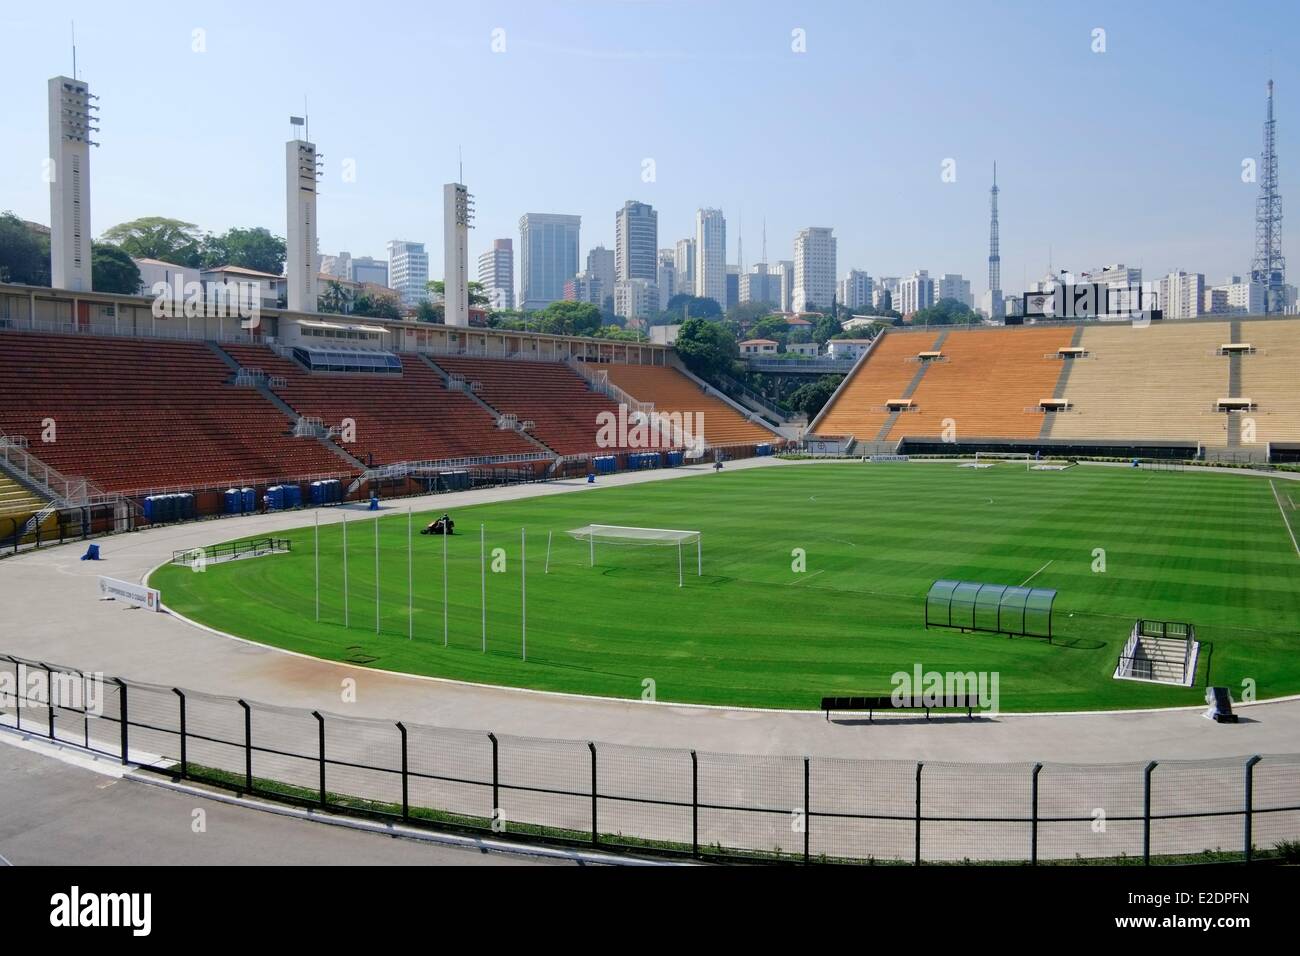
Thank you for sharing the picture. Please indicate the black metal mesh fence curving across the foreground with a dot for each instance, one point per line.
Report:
(679, 802)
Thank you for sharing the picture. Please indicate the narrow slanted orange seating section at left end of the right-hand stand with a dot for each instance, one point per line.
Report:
(859, 408)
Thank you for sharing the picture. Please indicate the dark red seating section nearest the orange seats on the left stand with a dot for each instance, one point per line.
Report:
(549, 393)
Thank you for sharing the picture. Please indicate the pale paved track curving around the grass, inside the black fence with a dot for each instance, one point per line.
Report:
(53, 613)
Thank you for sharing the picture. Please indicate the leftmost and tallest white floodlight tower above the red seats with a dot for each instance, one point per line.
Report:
(71, 128)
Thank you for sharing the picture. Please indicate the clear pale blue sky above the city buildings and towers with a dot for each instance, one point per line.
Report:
(1129, 155)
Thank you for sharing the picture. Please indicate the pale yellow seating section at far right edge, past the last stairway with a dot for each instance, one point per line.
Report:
(1269, 378)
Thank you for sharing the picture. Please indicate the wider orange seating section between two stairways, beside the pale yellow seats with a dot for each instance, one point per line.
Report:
(986, 384)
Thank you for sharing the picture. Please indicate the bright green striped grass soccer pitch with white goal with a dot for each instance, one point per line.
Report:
(1211, 550)
